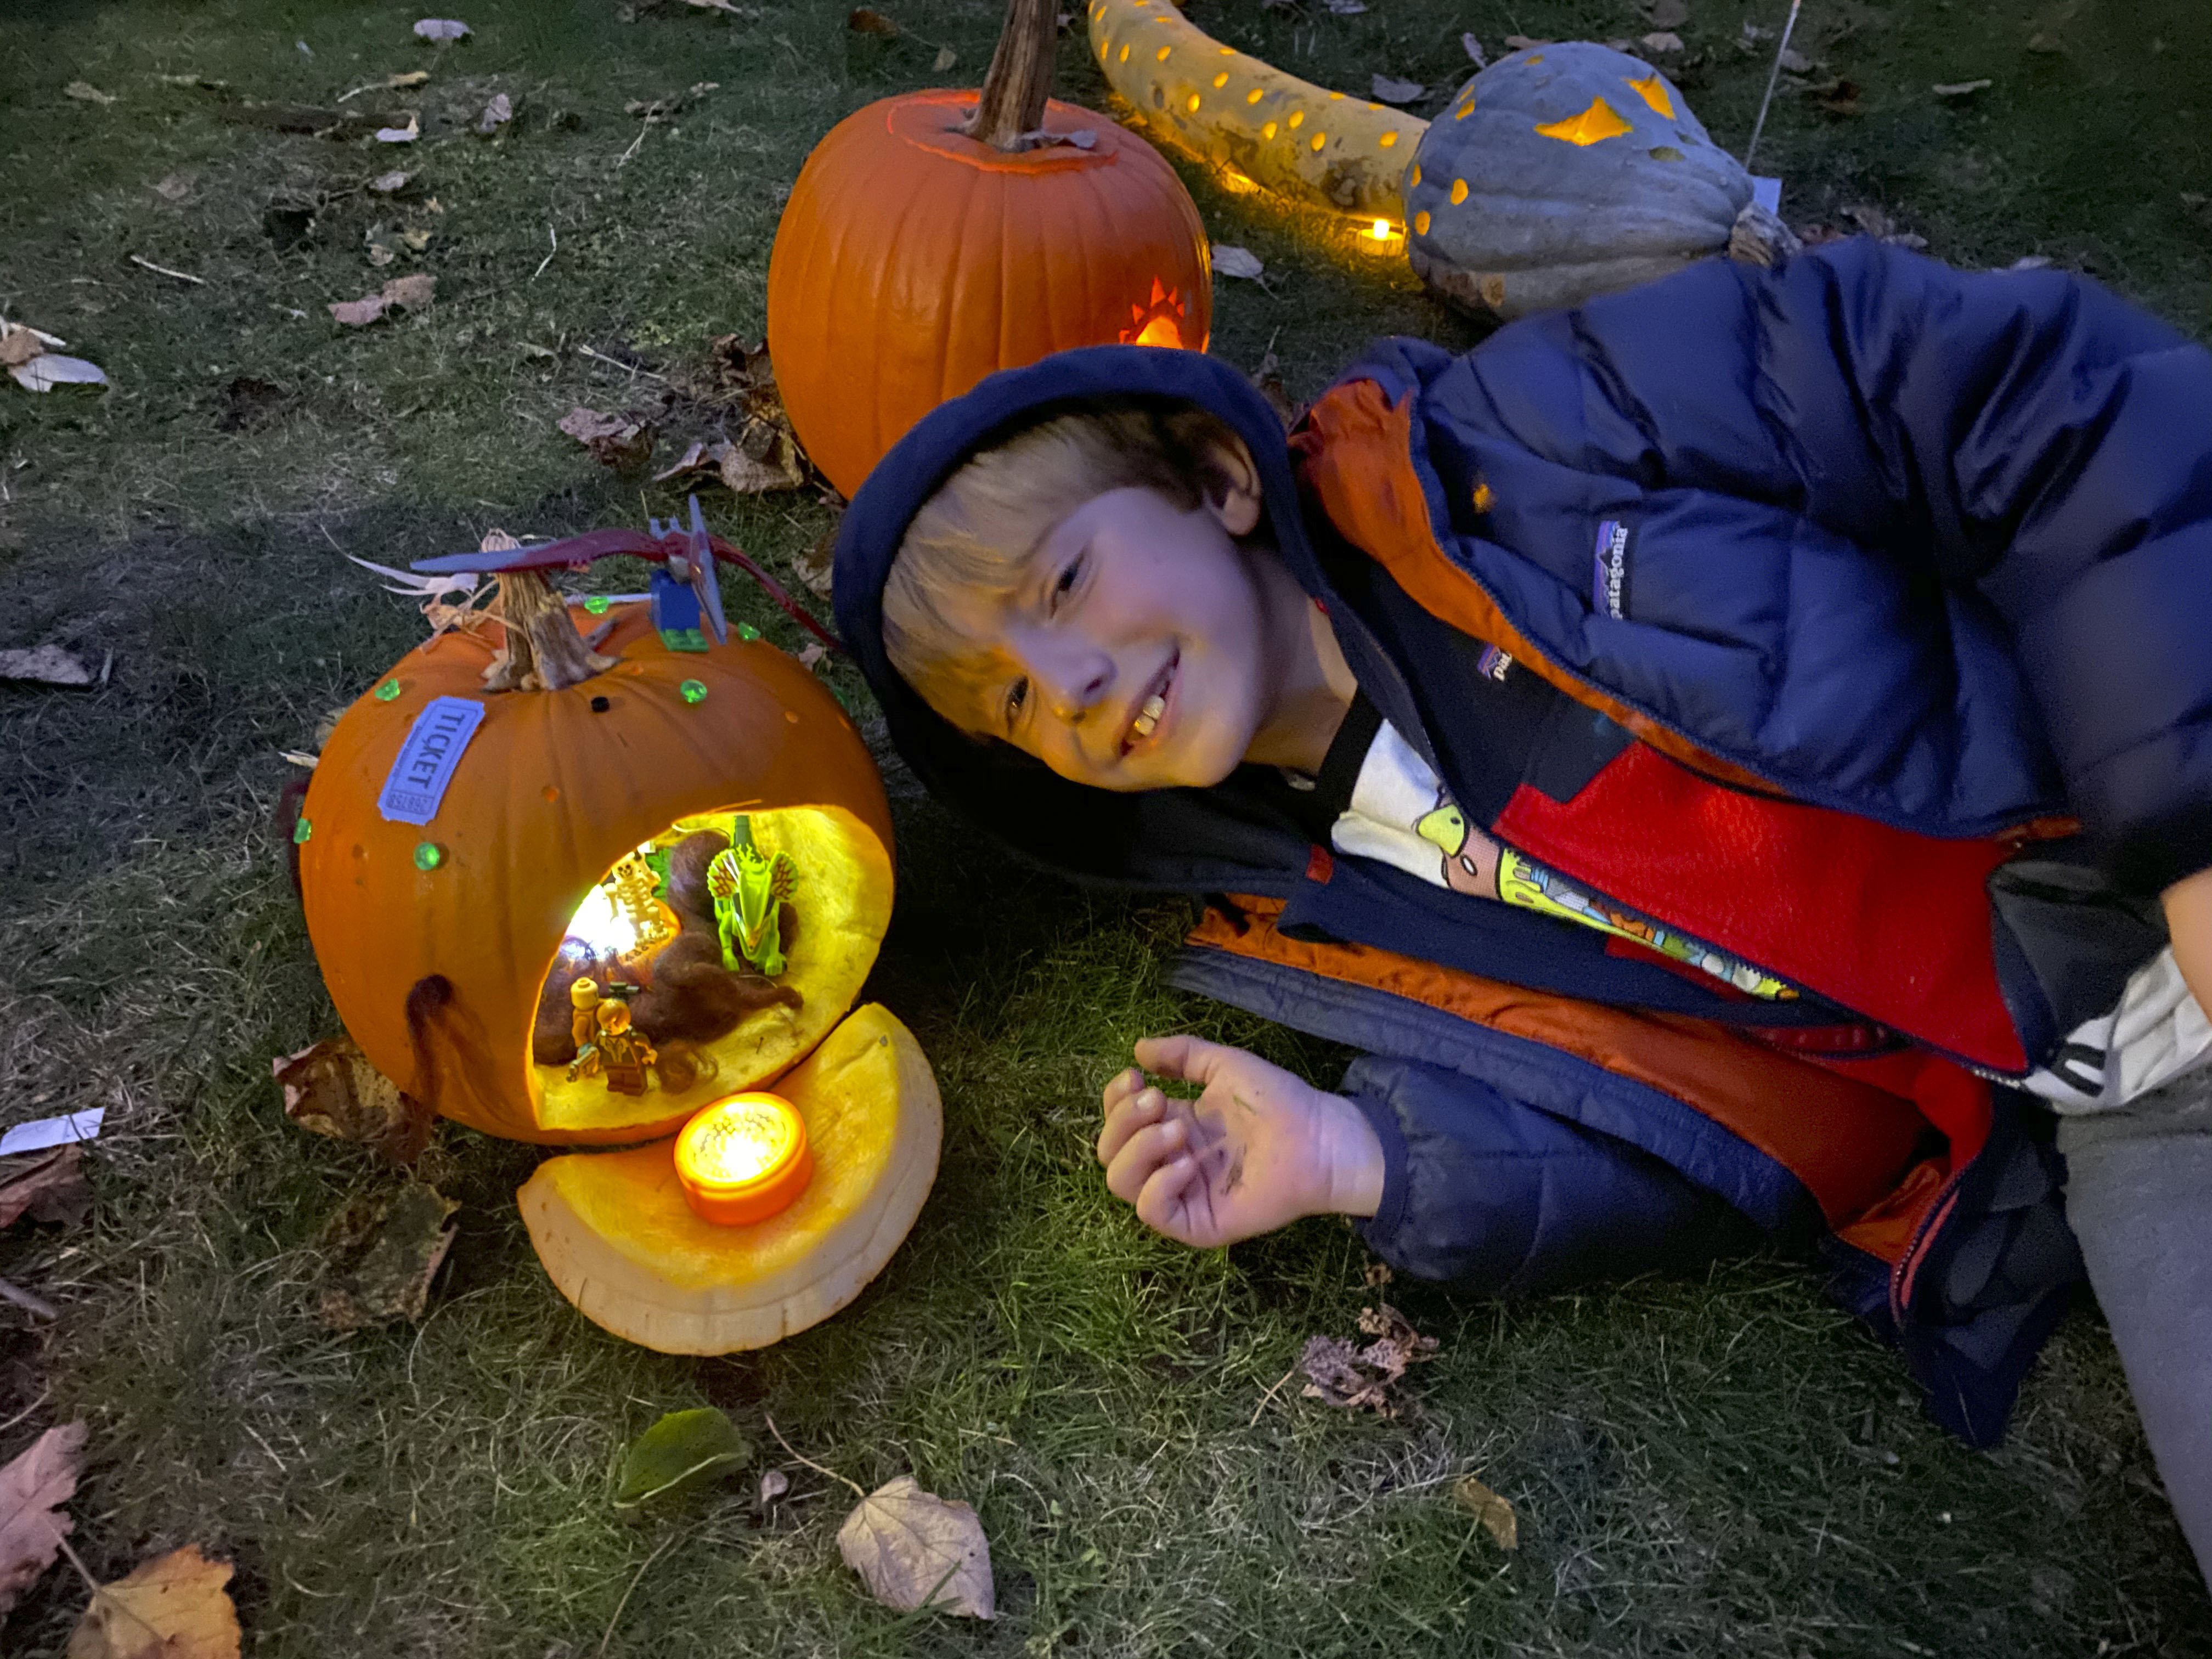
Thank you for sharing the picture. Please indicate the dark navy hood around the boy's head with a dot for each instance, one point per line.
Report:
(1191, 839)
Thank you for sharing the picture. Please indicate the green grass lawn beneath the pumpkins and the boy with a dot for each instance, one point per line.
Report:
(1718, 1465)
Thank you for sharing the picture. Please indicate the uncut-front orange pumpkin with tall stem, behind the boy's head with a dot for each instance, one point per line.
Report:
(935, 240)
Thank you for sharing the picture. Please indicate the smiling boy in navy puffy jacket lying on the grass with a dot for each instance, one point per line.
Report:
(1738, 760)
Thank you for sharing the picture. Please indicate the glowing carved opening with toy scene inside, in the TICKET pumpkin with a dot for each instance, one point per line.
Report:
(705, 963)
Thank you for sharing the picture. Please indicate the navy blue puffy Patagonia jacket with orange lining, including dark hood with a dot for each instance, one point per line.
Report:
(1921, 550)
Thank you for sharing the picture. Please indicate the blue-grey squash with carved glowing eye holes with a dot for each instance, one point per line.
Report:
(1561, 174)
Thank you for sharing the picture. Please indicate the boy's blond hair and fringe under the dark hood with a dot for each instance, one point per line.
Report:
(972, 541)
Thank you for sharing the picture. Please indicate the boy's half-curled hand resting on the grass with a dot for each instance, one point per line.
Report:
(1255, 1151)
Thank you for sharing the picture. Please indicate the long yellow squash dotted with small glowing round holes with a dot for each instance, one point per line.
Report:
(1260, 125)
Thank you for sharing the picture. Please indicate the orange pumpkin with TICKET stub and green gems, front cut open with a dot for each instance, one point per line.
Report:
(437, 939)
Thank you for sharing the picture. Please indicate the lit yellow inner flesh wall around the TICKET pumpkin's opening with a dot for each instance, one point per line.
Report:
(844, 908)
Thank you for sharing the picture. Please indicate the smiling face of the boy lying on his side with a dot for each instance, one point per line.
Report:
(1140, 649)
